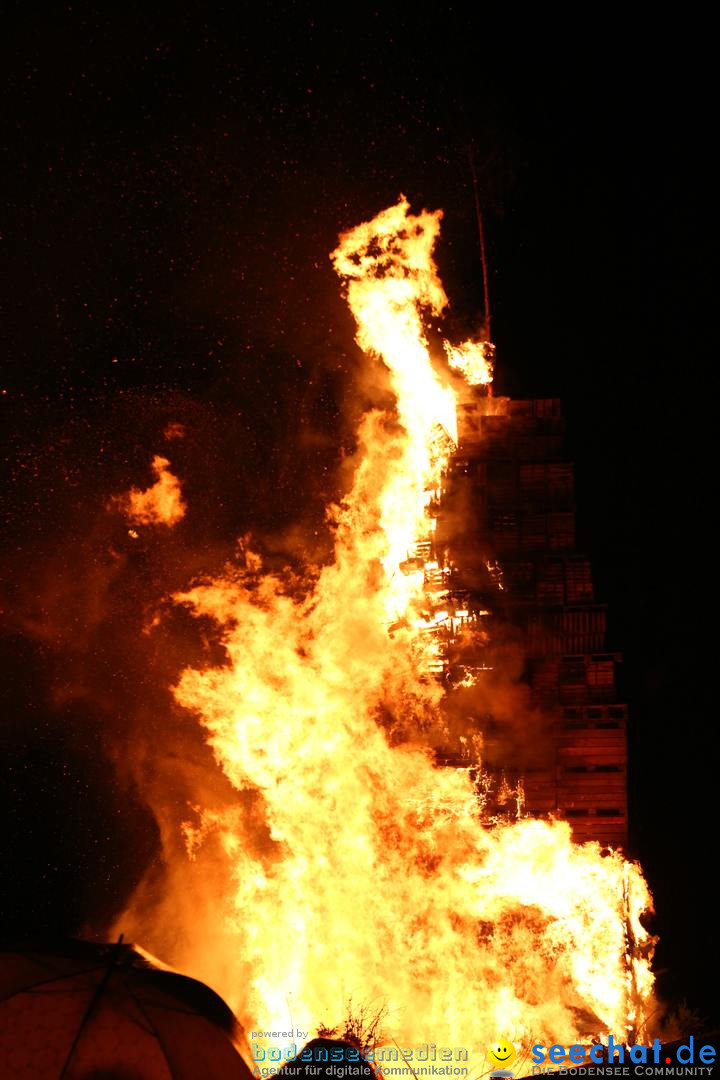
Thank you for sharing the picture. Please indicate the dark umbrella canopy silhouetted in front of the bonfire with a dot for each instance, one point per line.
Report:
(110, 1012)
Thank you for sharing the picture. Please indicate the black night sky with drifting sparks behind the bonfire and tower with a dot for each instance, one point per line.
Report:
(172, 188)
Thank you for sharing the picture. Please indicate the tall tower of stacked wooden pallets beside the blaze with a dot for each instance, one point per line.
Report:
(517, 558)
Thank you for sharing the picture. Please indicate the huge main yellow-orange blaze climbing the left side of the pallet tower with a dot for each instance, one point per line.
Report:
(383, 884)
